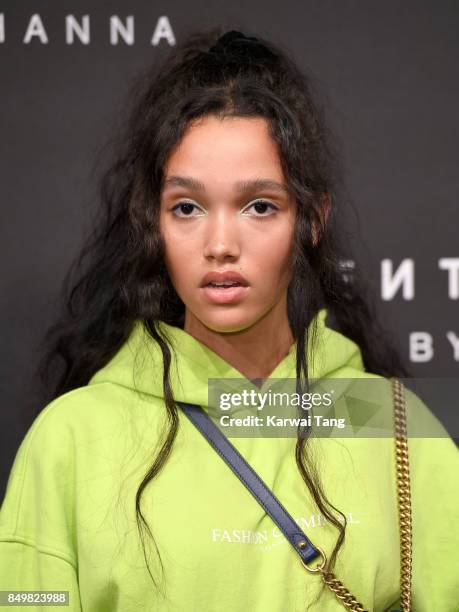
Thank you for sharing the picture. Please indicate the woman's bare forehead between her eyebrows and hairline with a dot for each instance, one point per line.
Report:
(235, 146)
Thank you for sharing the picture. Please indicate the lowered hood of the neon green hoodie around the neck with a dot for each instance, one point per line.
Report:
(138, 364)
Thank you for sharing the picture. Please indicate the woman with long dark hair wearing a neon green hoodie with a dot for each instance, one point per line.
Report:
(225, 176)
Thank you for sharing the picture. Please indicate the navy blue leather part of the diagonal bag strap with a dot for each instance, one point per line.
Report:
(297, 538)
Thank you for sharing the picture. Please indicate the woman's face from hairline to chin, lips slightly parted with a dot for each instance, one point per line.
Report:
(225, 208)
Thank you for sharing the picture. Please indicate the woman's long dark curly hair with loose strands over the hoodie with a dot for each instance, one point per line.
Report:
(120, 275)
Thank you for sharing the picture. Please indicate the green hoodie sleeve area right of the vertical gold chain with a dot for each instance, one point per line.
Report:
(434, 470)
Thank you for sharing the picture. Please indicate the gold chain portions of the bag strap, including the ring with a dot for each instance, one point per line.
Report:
(404, 504)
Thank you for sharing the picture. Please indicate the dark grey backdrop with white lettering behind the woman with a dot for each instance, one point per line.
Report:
(389, 73)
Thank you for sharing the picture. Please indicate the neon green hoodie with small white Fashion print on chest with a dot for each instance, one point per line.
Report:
(68, 519)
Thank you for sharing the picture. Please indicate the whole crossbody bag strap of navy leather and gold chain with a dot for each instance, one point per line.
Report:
(306, 550)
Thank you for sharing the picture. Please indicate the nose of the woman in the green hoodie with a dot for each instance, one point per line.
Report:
(222, 239)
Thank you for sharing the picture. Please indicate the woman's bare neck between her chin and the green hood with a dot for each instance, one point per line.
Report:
(255, 351)
